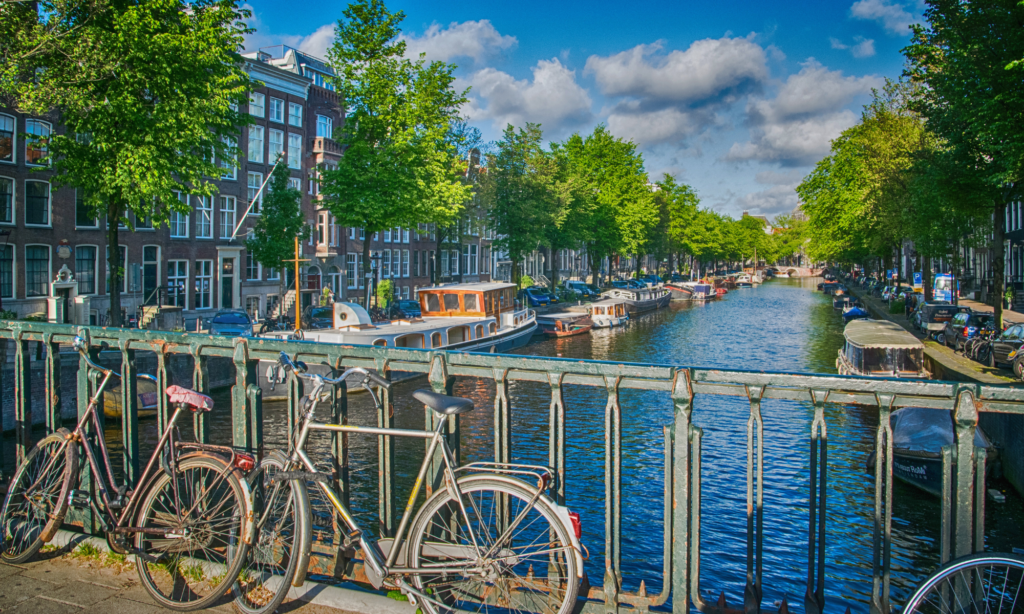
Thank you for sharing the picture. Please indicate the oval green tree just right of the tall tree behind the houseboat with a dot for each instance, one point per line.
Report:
(519, 191)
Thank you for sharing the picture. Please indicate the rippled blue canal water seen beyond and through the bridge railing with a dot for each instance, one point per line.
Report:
(783, 326)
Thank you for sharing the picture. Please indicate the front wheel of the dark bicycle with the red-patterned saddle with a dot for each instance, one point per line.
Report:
(37, 498)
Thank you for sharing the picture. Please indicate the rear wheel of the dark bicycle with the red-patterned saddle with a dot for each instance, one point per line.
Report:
(193, 549)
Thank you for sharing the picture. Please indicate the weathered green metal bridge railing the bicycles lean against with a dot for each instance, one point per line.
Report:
(963, 502)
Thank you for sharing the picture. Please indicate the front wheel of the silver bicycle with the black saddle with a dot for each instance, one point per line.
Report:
(283, 535)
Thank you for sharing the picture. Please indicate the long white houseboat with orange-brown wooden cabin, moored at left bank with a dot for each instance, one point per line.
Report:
(475, 318)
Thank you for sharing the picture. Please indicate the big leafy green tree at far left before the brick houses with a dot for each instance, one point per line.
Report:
(148, 93)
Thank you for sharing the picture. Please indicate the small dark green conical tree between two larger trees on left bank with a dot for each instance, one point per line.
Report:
(273, 238)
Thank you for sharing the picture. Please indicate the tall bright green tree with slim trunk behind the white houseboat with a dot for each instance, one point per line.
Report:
(400, 167)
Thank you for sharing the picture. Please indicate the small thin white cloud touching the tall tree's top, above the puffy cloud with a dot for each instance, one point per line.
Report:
(470, 39)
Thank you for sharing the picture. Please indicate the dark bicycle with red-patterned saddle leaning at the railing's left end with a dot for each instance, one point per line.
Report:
(190, 518)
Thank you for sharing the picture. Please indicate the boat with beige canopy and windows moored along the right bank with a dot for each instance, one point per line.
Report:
(880, 349)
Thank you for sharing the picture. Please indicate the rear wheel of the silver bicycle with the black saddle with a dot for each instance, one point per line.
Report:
(533, 568)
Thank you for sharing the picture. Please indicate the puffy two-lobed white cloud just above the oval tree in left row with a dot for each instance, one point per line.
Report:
(552, 99)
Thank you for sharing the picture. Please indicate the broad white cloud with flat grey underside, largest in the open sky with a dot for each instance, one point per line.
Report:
(704, 71)
